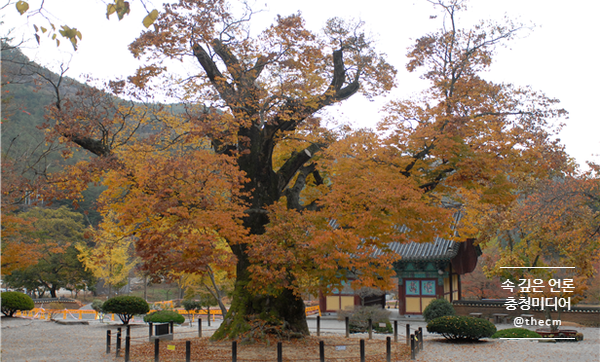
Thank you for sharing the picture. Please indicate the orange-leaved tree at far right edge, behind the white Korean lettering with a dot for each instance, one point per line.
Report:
(552, 231)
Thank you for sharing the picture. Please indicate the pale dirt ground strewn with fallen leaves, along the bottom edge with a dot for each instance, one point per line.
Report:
(37, 341)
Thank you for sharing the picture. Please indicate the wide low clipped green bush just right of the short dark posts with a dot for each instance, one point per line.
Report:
(462, 328)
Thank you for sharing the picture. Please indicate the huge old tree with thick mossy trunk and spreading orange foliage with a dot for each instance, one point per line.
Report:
(247, 160)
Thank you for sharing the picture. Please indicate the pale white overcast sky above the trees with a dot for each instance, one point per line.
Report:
(559, 57)
